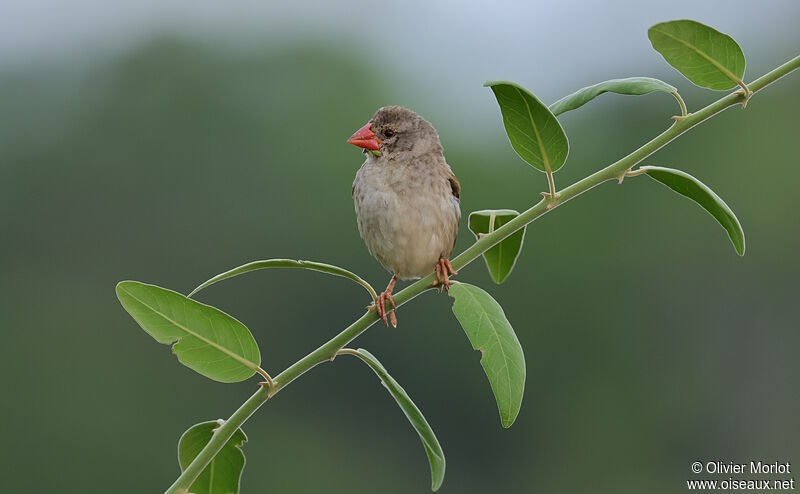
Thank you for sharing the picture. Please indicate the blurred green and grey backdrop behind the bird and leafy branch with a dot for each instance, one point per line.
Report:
(169, 144)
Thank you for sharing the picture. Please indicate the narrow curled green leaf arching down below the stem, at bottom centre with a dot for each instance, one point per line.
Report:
(426, 435)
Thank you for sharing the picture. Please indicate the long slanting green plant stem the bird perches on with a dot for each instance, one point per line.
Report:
(328, 350)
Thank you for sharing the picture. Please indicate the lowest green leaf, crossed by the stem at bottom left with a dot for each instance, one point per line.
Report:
(223, 474)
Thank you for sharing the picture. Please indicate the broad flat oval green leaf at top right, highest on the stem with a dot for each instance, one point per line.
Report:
(705, 56)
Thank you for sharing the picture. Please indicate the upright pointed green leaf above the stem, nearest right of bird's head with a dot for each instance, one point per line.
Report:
(534, 132)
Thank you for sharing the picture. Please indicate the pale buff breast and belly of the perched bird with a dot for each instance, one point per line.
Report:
(407, 236)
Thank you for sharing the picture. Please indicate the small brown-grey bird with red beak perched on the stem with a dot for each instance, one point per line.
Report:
(407, 200)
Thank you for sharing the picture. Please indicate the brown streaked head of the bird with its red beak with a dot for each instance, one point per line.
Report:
(396, 132)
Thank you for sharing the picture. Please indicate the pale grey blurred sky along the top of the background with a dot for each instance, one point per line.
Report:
(451, 47)
